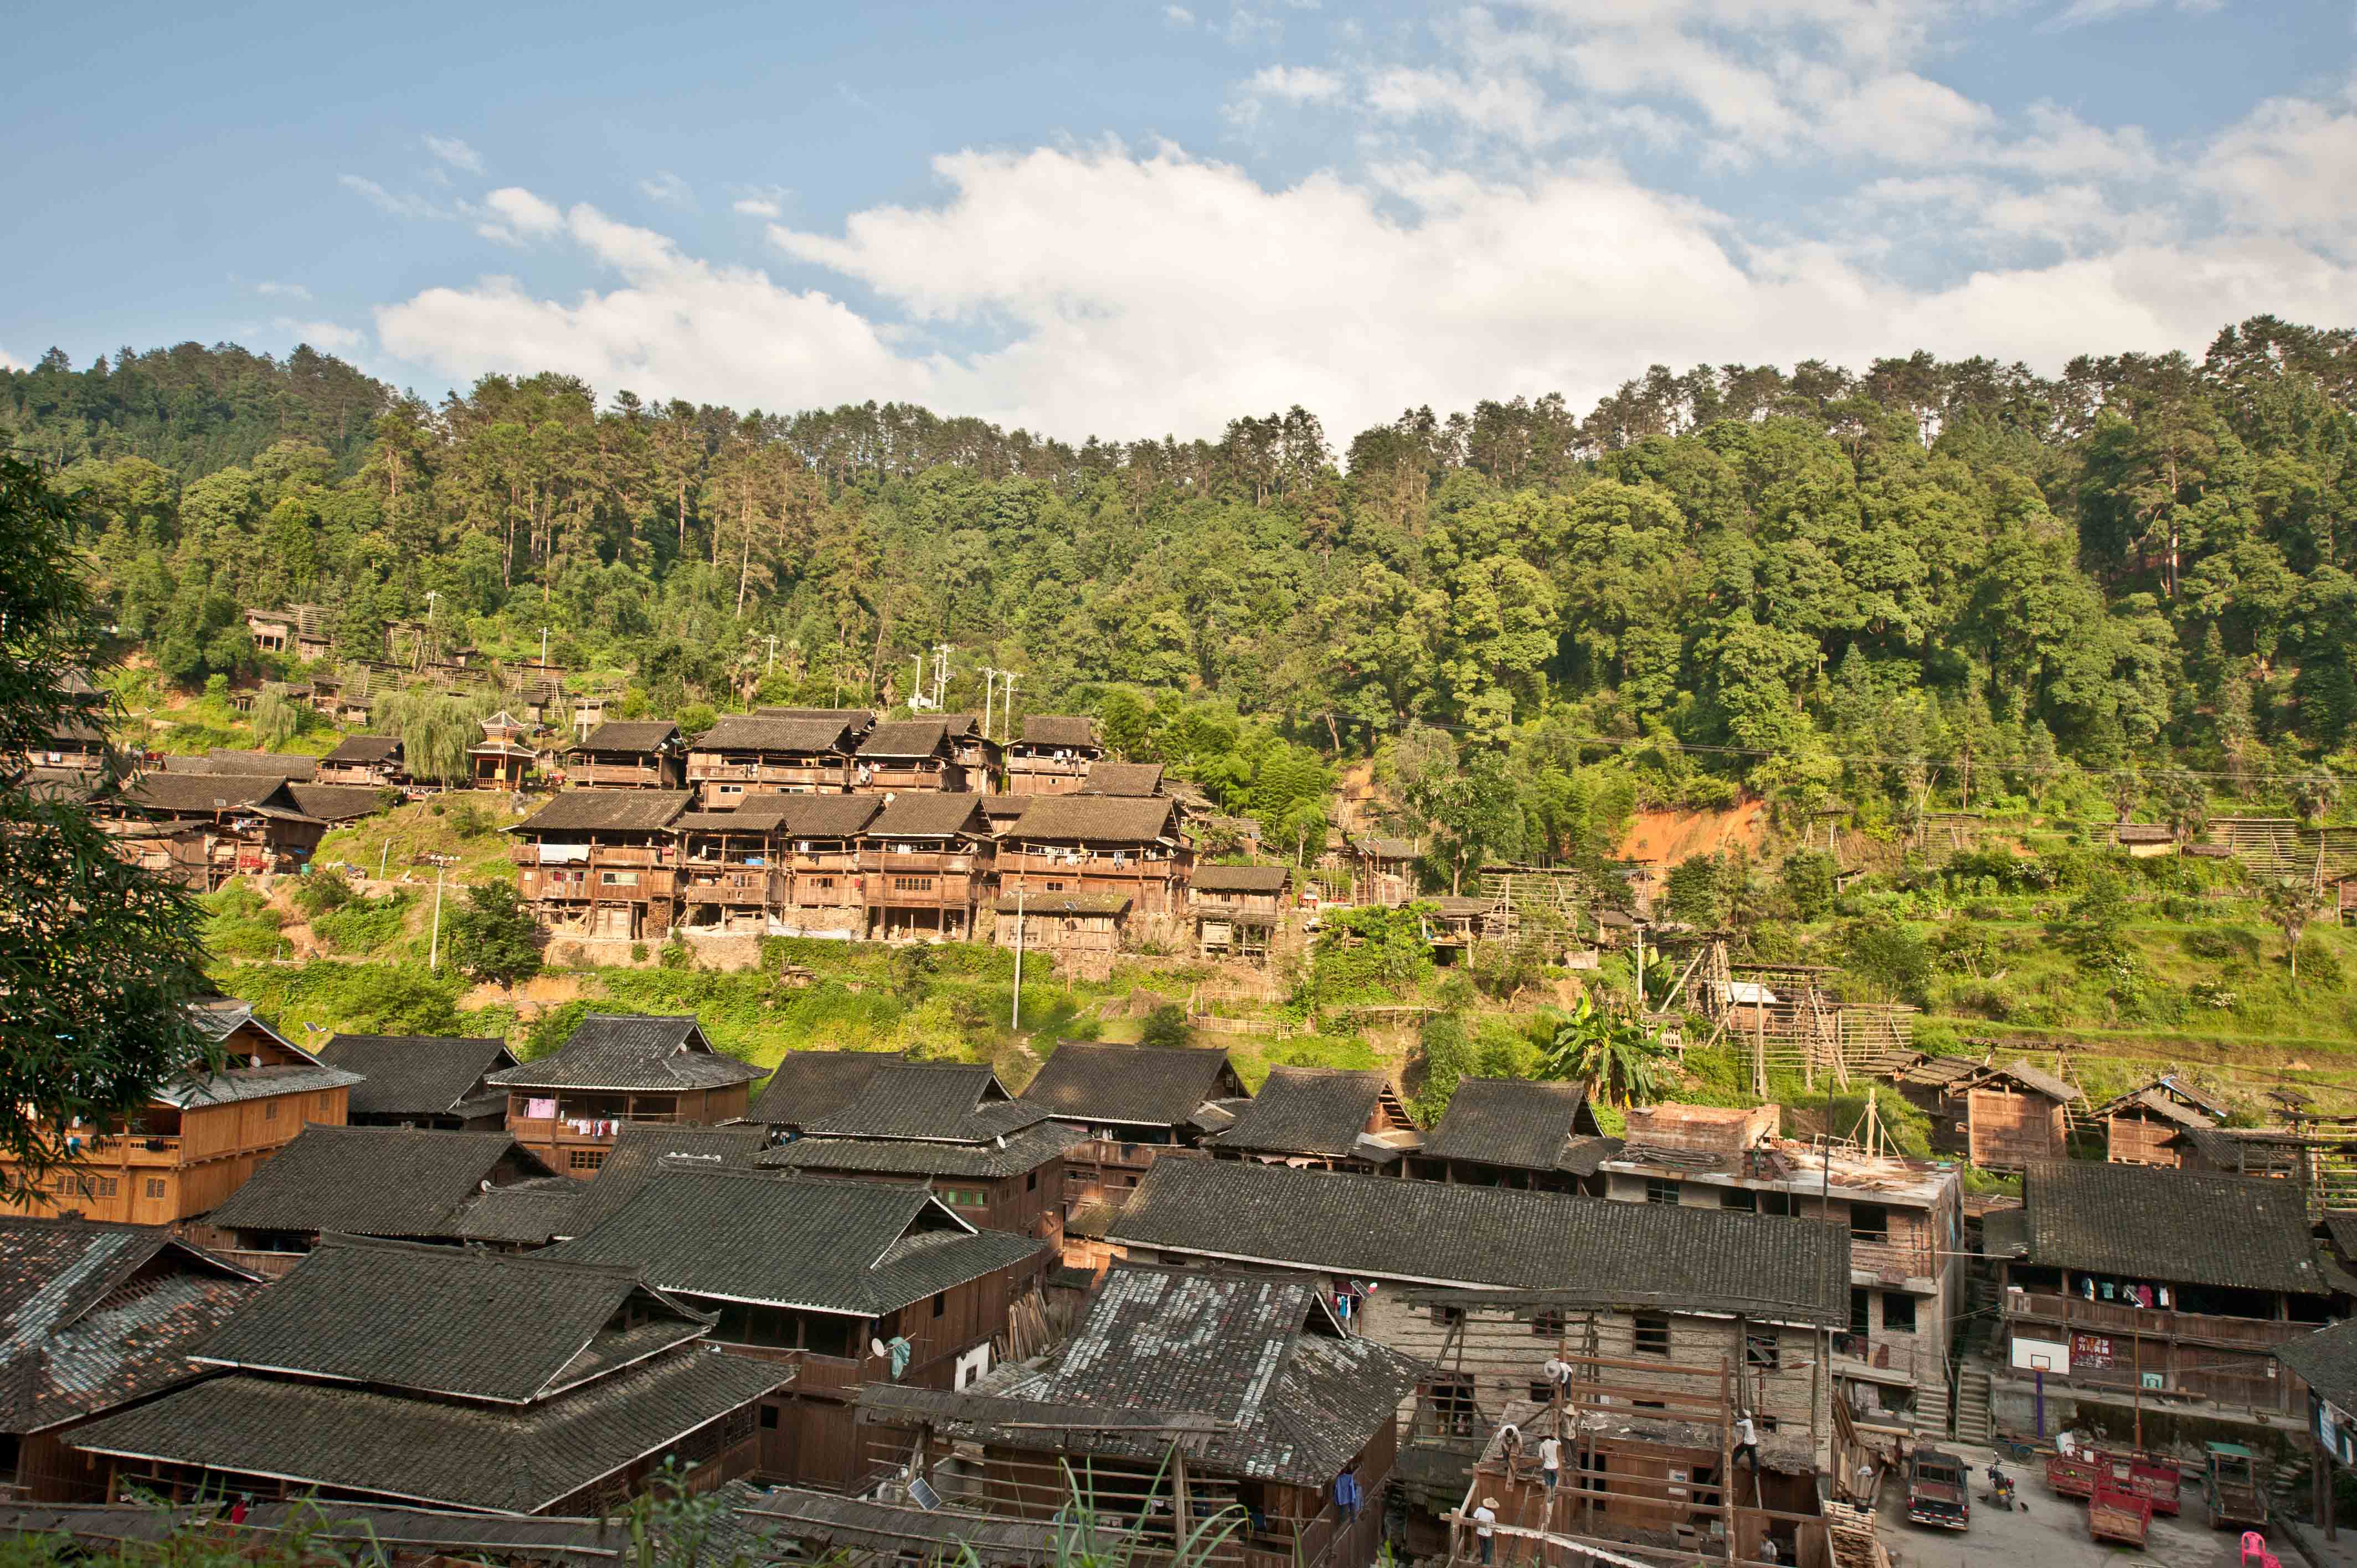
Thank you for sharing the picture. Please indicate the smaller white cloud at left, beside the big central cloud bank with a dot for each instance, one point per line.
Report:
(673, 327)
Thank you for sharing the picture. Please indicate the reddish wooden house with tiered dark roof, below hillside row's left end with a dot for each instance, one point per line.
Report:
(612, 1072)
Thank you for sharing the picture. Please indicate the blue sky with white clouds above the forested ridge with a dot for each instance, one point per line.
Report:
(1151, 218)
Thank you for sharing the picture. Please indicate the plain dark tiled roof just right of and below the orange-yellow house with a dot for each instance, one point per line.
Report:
(374, 1182)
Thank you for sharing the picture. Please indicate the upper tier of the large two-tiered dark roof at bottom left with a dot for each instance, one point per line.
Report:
(466, 1324)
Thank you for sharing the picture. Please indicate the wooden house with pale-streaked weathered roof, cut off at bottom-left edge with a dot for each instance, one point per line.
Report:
(98, 1319)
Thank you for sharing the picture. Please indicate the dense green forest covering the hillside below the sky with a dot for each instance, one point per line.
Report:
(1960, 584)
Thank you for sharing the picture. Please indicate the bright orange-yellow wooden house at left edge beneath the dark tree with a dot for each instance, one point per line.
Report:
(199, 1138)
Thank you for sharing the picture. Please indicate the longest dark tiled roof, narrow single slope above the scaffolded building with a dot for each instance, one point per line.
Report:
(1491, 1237)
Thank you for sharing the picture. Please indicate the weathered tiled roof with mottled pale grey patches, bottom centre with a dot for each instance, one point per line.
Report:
(1295, 1397)
